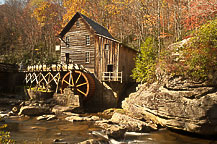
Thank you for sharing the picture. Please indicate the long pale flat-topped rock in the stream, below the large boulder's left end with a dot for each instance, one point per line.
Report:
(132, 124)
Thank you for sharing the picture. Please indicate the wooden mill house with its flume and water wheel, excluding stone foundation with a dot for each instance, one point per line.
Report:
(88, 51)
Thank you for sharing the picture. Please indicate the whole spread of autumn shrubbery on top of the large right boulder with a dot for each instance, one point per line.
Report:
(197, 57)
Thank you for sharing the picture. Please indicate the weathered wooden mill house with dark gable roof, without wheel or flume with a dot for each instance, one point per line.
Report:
(87, 43)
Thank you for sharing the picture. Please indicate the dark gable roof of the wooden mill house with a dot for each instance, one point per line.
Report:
(100, 30)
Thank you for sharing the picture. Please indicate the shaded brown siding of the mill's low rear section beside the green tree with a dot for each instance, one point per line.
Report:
(126, 62)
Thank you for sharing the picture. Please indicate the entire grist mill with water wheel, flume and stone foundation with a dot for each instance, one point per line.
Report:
(95, 67)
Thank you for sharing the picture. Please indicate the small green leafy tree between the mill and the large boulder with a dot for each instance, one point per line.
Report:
(144, 70)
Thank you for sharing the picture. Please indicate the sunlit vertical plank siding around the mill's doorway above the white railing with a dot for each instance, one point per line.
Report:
(105, 56)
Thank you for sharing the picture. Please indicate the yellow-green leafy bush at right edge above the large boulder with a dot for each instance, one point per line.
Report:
(201, 52)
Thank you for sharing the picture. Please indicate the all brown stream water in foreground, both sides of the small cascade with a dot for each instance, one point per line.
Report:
(30, 131)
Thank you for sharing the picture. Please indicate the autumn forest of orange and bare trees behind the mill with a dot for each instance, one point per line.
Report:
(29, 28)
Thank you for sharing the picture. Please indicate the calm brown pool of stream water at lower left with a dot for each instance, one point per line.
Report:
(29, 130)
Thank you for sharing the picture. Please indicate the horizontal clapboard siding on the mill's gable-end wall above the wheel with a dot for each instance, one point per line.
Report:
(77, 45)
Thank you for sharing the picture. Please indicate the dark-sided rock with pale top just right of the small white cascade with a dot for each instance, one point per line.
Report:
(112, 130)
